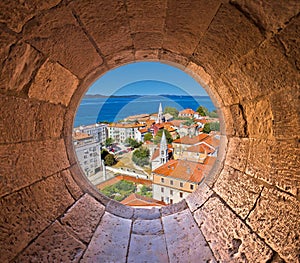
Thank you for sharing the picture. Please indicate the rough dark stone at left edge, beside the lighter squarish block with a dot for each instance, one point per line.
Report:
(19, 68)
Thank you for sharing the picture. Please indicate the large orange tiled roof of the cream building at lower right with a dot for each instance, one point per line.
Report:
(182, 170)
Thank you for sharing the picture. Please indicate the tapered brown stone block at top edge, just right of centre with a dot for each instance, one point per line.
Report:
(186, 23)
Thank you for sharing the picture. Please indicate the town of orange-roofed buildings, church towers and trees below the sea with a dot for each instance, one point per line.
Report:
(149, 160)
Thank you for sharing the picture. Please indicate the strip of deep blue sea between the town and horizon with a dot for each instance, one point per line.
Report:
(113, 109)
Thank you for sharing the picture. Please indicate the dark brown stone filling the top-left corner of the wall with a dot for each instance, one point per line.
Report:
(17, 14)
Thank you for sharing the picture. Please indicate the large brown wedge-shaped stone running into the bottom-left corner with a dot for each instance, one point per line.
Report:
(28, 212)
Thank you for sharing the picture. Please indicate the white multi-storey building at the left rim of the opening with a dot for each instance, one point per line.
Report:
(88, 152)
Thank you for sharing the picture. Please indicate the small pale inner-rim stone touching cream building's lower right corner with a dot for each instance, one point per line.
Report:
(199, 197)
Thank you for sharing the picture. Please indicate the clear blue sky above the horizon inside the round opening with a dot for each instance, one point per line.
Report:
(135, 79)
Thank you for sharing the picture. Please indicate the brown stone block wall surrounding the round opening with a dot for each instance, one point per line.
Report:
(245, 53)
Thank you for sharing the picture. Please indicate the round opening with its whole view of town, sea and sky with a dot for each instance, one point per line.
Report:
(146, 134)
